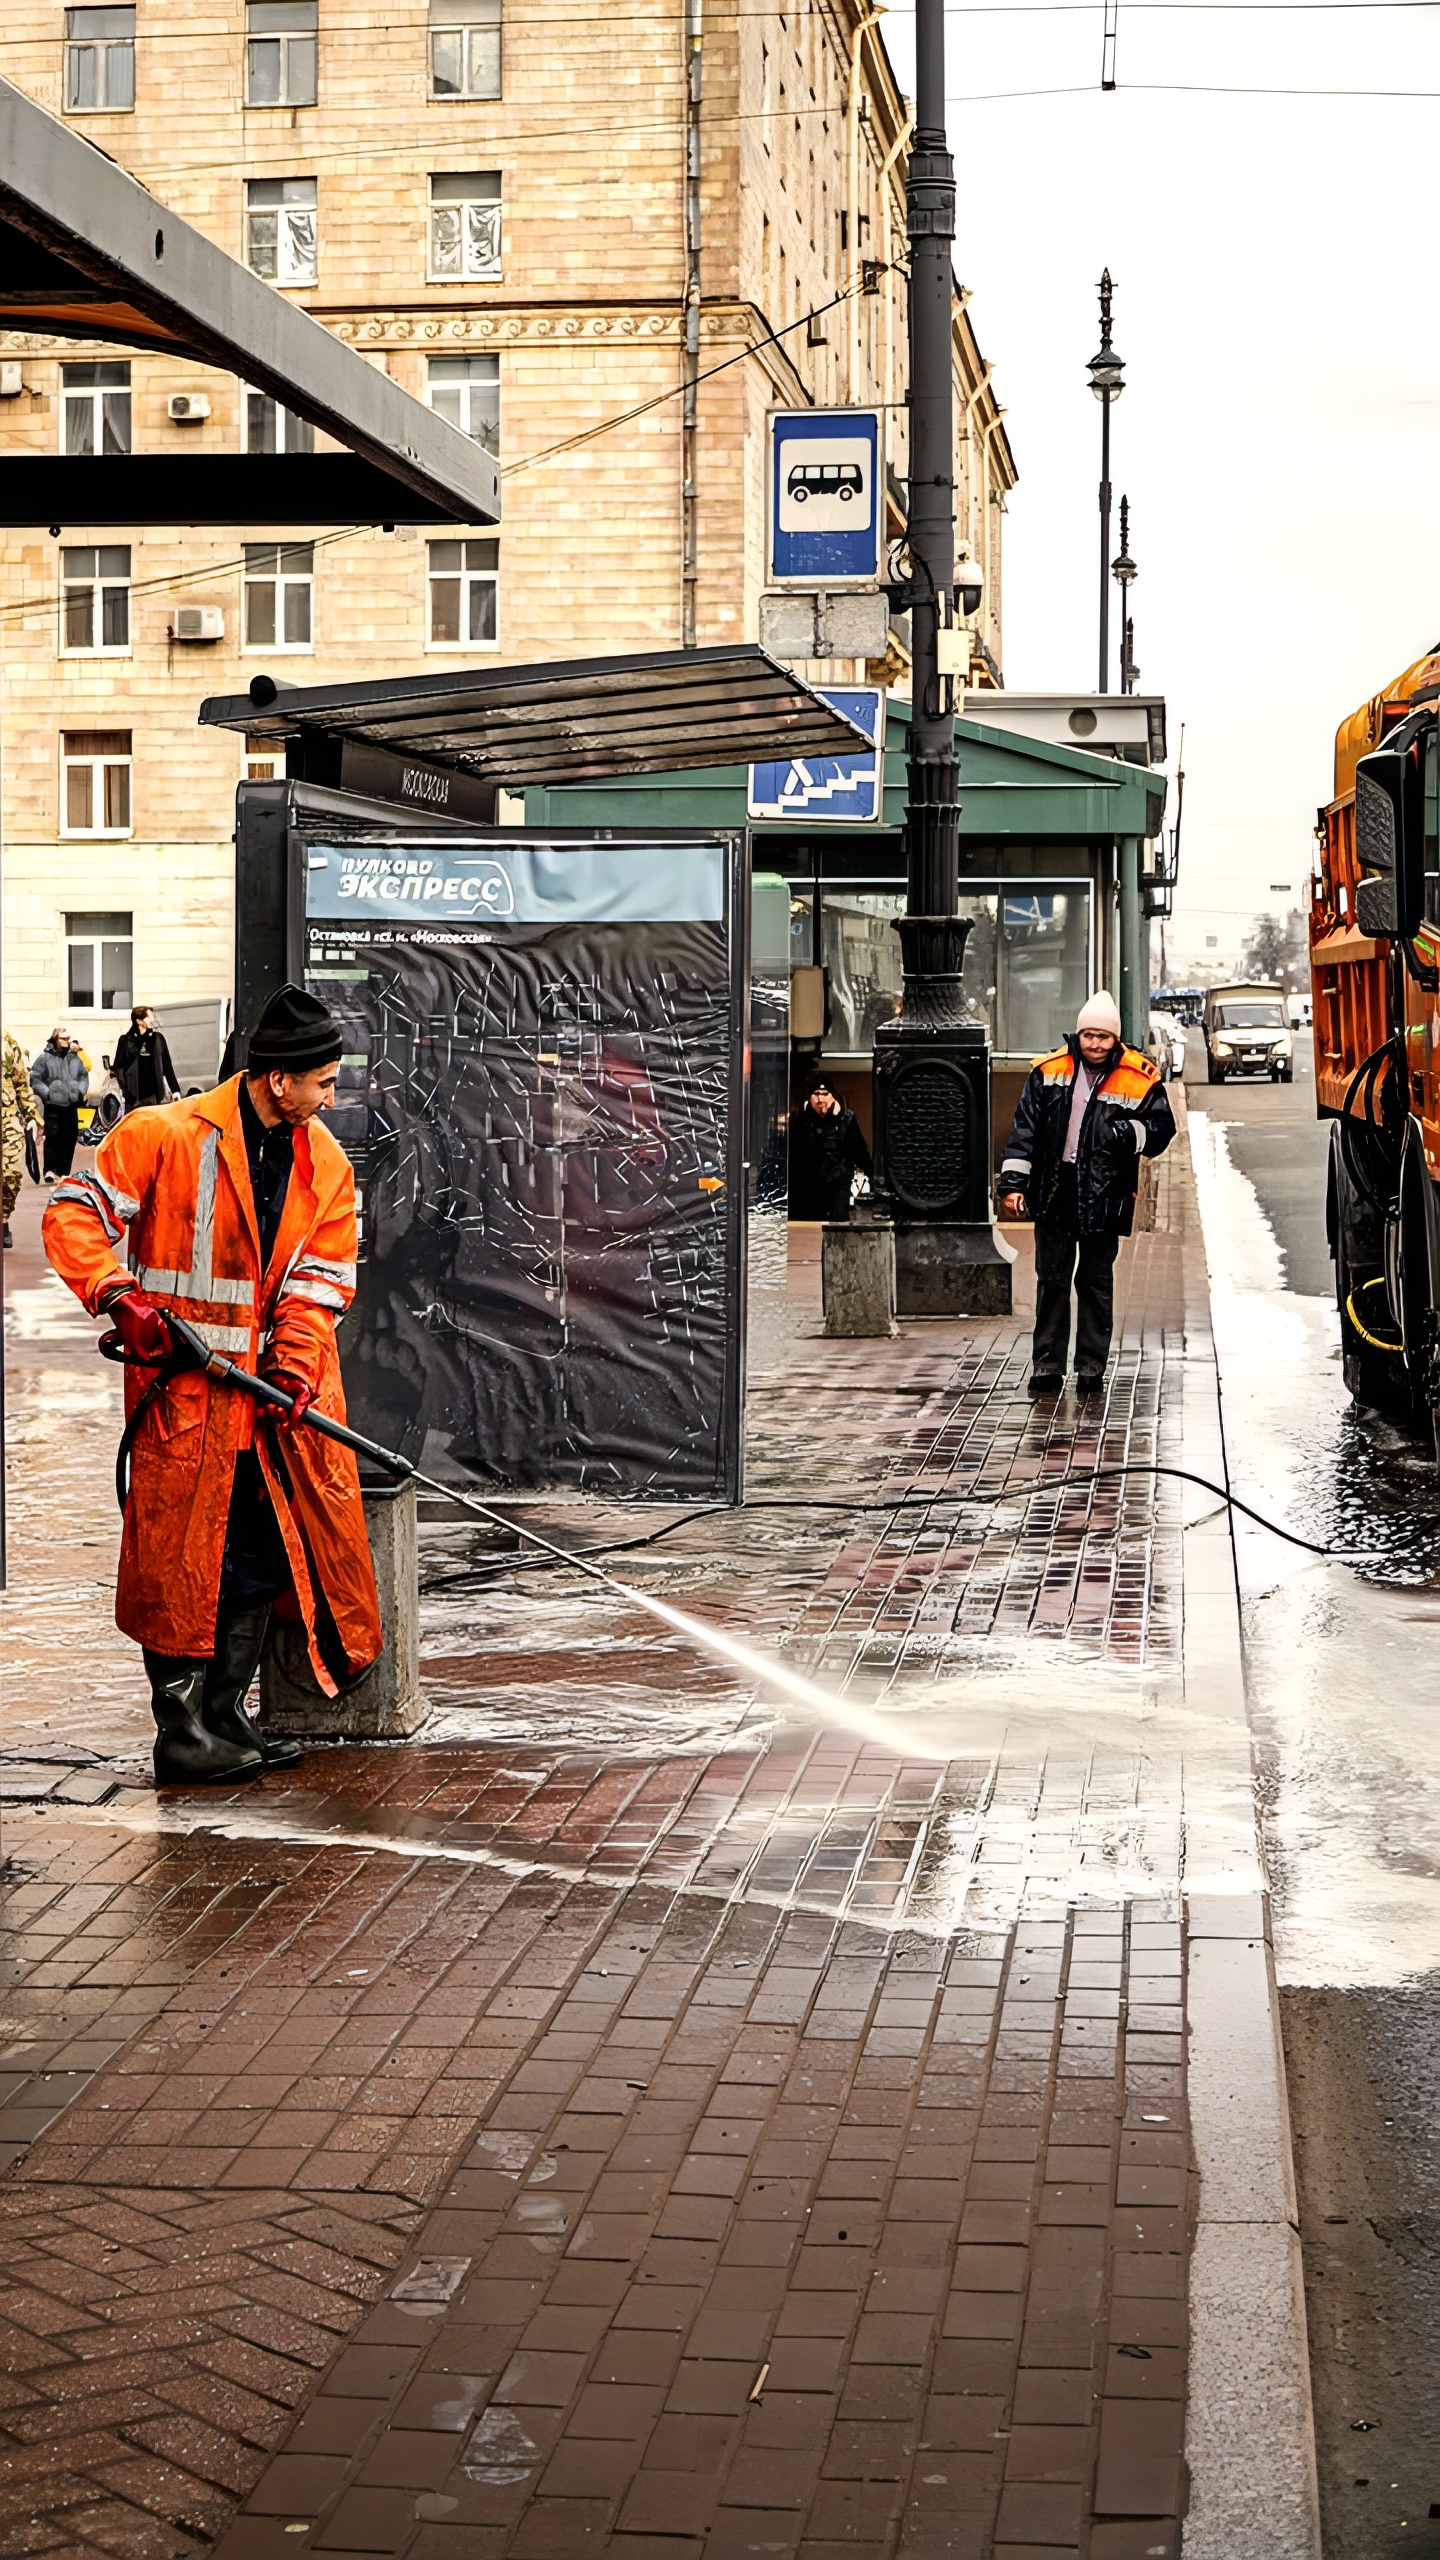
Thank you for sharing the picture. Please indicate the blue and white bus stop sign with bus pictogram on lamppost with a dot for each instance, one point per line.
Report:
(826, 498)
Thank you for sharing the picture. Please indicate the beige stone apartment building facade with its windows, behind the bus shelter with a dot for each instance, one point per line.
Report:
(601, 242)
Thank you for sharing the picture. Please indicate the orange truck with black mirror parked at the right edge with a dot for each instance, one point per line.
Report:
(1375, 969)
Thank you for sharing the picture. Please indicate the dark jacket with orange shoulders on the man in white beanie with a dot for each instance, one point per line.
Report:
(1129, 1117)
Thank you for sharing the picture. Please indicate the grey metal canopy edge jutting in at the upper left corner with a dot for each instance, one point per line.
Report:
(86, 252)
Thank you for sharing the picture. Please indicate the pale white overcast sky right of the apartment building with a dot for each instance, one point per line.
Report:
(1282, 380)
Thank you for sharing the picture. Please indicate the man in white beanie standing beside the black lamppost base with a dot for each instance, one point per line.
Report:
(1085, 1120)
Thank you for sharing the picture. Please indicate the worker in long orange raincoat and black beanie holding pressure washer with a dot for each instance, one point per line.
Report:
(242, 1217)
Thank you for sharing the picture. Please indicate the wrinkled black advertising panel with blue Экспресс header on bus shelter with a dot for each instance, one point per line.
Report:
(544, 1100)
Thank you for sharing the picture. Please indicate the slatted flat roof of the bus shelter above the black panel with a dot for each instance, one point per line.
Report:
(568, 721)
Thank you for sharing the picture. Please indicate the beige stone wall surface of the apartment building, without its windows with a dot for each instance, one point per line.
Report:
(585, 321)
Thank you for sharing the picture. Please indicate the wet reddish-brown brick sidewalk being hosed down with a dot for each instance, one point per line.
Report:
(660, 2108)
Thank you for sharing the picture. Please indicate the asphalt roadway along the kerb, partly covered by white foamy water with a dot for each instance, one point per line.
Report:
(1344, 1701)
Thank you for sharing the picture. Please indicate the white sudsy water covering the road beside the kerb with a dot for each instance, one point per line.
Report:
(1339, 1658)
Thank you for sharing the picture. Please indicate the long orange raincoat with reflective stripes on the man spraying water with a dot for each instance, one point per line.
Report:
(181, 1184)
